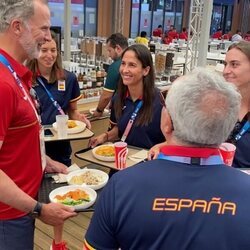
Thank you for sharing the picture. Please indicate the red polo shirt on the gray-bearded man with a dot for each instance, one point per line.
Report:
(20, 156)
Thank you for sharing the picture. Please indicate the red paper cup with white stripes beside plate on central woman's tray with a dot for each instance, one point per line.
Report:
(121, 151)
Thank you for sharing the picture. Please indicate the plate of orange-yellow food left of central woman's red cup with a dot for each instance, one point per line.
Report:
(104, 152)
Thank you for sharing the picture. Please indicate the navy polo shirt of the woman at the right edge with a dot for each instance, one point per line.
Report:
(242, 154)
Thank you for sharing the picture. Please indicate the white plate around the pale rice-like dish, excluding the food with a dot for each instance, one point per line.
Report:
(102, 177)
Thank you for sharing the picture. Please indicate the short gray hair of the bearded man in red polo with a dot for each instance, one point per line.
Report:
(10, 9)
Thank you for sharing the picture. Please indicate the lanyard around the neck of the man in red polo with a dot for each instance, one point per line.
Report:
(19, 83)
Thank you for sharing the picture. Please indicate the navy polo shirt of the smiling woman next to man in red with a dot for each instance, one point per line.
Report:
(63, 97)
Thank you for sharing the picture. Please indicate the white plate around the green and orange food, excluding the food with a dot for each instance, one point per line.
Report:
(63, 190)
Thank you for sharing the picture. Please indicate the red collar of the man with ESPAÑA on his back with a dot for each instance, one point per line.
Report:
(189, 151)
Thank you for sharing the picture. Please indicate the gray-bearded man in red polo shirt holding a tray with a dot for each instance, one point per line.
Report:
(24, 26)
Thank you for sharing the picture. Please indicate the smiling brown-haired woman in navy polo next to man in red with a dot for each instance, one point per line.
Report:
(48, 74)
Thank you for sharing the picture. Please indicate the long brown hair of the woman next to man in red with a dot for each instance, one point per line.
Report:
(57, 72)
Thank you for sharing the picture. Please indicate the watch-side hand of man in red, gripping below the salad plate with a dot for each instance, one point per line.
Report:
(55, 214)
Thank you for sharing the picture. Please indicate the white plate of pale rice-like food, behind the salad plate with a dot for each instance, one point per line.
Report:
(92, 178)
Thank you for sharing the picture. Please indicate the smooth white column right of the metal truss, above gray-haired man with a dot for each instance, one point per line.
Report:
(204, 34)
